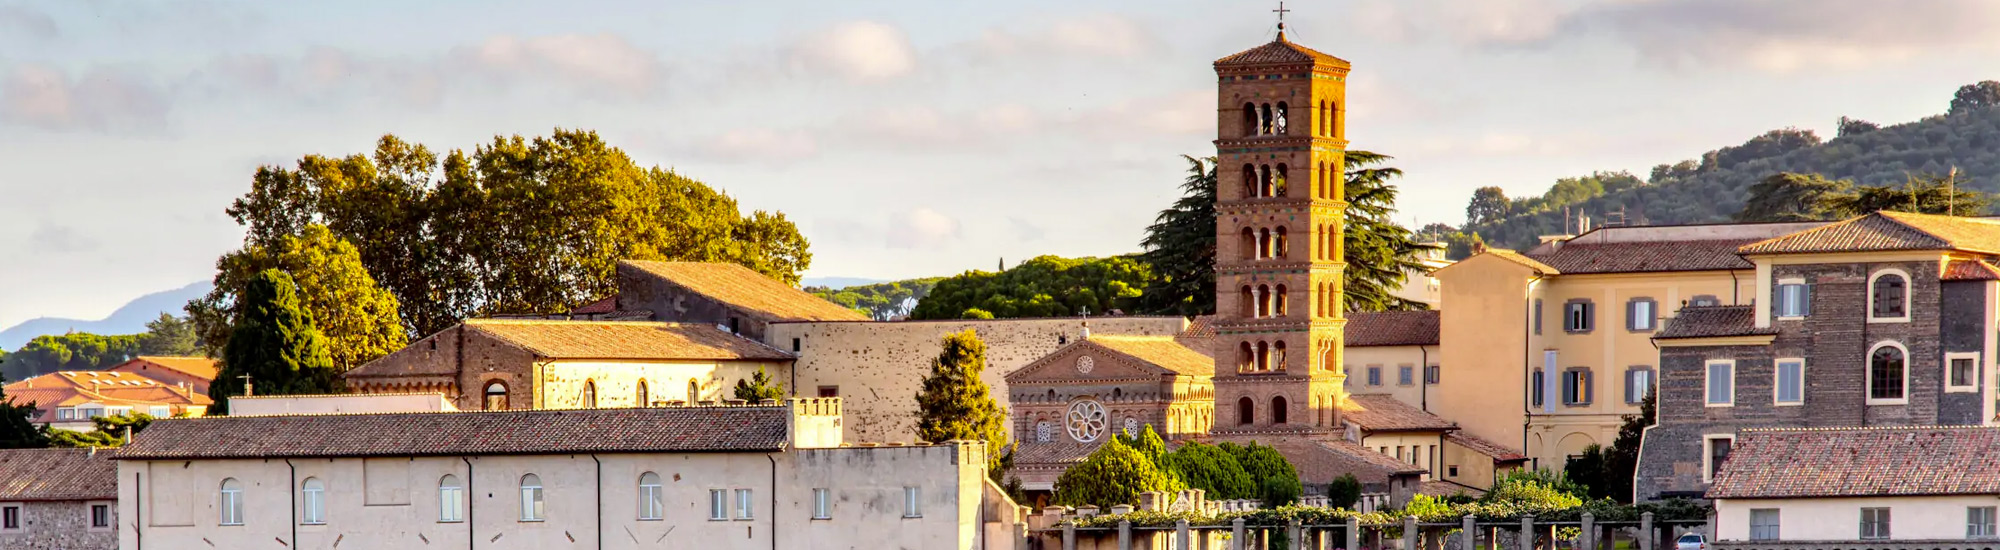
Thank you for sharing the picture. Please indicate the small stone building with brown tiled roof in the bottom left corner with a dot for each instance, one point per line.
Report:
(59, 499)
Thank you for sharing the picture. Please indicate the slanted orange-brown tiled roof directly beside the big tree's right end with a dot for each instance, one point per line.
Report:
(745, 289)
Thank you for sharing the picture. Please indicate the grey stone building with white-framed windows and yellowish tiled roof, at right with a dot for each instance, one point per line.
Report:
(1877, 321)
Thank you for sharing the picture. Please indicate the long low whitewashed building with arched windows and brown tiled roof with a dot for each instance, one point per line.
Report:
(679, 477)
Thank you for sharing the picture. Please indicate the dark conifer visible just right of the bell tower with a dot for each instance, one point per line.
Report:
(1381, 253)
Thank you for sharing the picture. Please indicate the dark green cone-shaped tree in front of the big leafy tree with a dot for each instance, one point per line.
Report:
(275, 343)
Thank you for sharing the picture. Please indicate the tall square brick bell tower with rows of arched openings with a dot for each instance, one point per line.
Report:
(1279, 255)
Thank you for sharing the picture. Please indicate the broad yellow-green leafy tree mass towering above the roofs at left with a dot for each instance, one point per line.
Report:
(513, 227)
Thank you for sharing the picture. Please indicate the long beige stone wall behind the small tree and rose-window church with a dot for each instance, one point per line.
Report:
(879, 367)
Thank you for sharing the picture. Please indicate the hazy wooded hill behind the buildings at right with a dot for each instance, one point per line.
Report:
(1713, 189)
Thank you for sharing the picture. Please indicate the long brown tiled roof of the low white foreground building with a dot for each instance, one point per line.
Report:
(701, 429)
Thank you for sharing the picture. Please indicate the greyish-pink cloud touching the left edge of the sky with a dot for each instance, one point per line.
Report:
(99, 101)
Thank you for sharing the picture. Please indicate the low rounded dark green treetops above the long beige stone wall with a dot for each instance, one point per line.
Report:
(1041, 287)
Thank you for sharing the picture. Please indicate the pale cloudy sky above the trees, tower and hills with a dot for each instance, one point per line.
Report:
(905, 139)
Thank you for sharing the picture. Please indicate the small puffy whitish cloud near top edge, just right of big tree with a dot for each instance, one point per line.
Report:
(855, 51)
